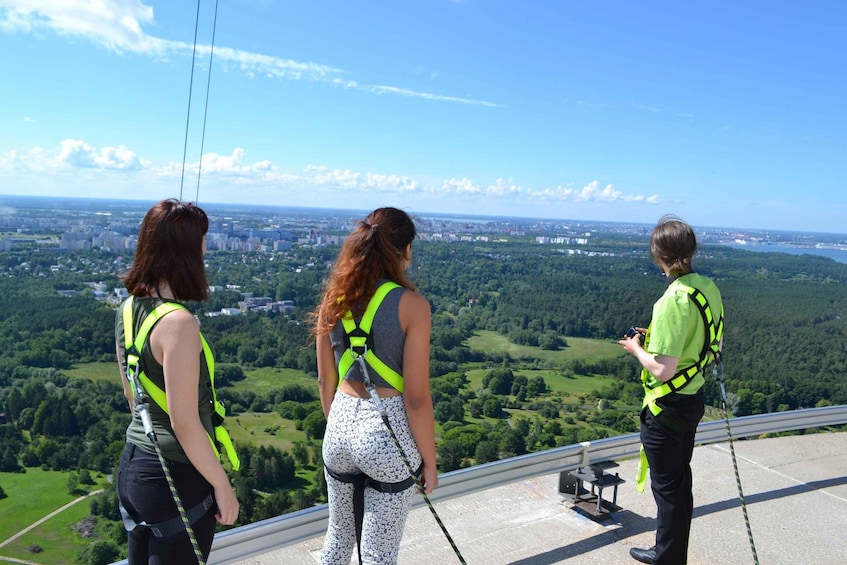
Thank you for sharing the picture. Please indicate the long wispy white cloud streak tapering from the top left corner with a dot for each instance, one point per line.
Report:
(118, 25)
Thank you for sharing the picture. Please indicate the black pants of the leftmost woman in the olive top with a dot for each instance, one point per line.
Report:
(144, 493)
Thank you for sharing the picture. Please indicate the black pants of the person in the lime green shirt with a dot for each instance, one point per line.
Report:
(668, 442)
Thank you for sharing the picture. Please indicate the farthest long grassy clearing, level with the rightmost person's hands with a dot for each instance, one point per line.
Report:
(578, 348)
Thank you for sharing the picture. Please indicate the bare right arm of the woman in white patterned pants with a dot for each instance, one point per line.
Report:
(416, 320)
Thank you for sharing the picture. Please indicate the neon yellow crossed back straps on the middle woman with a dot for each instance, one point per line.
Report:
(361, 341)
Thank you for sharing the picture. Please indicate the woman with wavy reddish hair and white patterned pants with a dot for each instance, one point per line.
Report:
(372, 335)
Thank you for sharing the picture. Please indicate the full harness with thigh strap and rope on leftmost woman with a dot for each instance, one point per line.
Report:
(142, 389)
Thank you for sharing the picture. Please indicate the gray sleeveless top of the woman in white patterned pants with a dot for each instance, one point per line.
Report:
(388, 338)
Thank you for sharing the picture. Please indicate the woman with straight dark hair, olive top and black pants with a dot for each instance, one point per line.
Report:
(176, 361)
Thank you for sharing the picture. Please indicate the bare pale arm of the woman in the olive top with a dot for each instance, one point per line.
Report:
(175, 343)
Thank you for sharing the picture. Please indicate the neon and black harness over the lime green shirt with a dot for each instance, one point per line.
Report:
(710, 354)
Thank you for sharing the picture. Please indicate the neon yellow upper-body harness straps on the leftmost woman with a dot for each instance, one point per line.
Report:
(150, 389)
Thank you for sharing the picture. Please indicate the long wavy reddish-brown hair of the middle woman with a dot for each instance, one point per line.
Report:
(375, 248)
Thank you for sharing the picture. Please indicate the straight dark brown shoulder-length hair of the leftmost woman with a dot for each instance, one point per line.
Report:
(170, 249)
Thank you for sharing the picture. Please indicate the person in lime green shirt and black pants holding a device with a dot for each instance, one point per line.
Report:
(683, 338)
